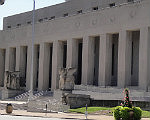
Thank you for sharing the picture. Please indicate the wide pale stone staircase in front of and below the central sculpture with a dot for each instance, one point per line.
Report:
(50, 103)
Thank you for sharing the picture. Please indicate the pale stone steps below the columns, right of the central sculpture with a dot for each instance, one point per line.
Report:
(97, 93)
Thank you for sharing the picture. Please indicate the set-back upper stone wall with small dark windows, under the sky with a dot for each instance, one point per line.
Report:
(72, 7)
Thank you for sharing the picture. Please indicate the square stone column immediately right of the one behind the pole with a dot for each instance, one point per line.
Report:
(44, 62)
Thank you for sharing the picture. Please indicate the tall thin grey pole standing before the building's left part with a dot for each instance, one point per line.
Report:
(32, 54)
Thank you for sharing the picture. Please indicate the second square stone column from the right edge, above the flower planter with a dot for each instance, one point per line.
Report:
(124, 58)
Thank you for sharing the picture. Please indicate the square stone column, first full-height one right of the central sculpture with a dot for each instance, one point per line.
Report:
(88, 61)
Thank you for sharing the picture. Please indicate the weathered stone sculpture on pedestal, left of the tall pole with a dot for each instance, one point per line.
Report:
(12, 80)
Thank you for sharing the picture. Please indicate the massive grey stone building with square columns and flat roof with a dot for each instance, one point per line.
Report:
(108, 41)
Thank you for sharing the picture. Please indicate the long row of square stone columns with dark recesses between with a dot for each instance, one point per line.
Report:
(111, 59)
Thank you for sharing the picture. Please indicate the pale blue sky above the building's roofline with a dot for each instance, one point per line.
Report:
(12, 7)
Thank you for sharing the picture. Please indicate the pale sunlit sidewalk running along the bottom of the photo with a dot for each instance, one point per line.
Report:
(60, 115)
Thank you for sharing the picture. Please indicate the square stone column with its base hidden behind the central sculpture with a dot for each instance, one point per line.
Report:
(72, 53)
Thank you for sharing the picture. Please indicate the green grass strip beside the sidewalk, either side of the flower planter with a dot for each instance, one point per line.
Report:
(145, 114)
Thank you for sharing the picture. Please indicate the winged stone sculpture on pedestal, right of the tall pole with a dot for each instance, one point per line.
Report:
(67, 78)
